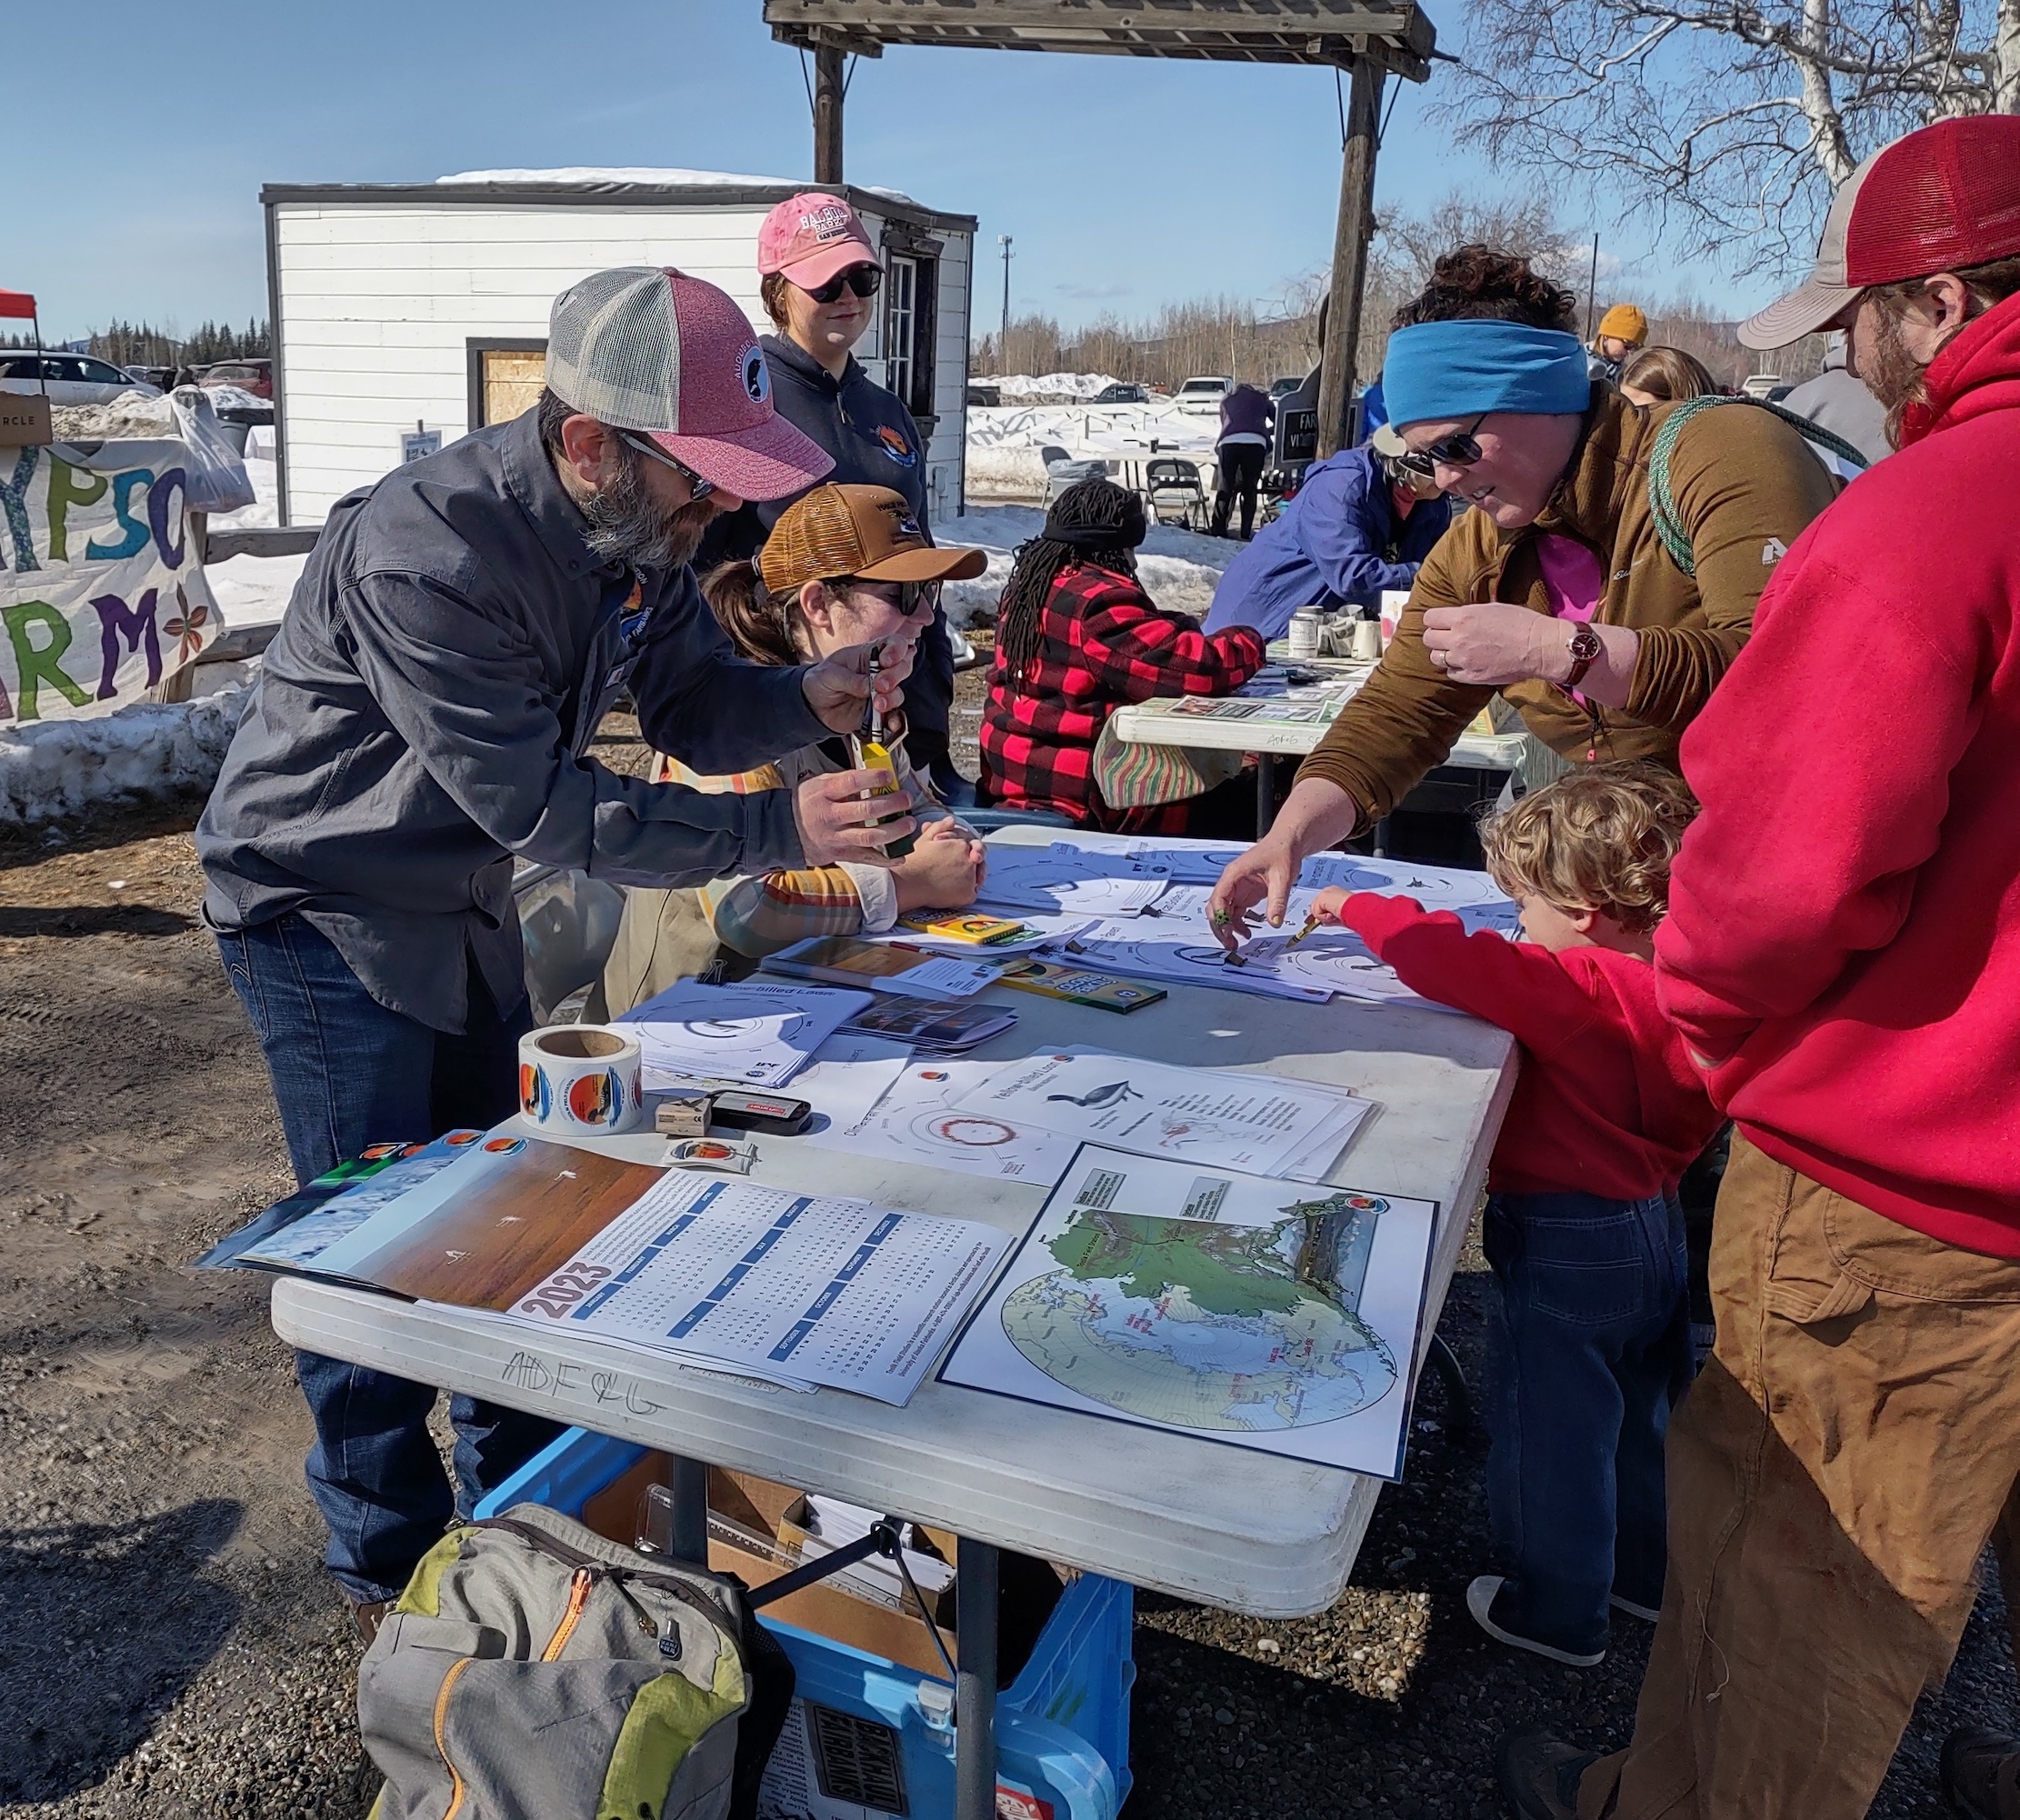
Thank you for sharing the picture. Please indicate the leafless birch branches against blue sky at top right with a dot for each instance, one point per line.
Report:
(1730, 122)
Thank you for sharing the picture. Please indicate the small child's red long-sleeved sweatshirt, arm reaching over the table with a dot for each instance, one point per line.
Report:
(1607, 1100)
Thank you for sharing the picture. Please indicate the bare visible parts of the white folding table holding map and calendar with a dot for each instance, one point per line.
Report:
(1251, 1532)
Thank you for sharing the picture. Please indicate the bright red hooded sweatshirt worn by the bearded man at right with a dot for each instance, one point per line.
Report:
(1843, 938)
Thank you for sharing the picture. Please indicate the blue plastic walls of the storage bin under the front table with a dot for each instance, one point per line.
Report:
(1062, 1724)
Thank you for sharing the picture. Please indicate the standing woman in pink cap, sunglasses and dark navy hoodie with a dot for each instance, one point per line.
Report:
(821, 282)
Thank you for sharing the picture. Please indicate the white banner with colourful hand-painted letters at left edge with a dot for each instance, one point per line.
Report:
(102, 593)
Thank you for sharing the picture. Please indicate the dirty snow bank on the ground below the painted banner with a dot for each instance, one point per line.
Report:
(60, 769)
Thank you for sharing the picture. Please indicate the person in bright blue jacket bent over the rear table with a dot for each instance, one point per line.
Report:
(1360, 522)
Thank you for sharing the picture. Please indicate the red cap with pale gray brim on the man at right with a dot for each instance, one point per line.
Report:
(1938, 199)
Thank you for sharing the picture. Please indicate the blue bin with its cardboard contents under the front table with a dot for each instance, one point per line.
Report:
(872, 1728)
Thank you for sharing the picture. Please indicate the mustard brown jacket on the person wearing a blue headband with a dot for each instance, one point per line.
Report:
(1744, 488)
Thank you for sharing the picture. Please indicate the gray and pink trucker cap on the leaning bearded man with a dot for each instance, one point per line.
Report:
(649, 348)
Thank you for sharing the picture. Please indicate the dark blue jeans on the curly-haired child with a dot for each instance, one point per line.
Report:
(1589, 1346)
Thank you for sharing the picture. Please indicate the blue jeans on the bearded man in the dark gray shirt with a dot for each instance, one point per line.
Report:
(348, 1074)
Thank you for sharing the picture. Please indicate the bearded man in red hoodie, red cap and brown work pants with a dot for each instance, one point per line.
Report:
(1843, 960)
